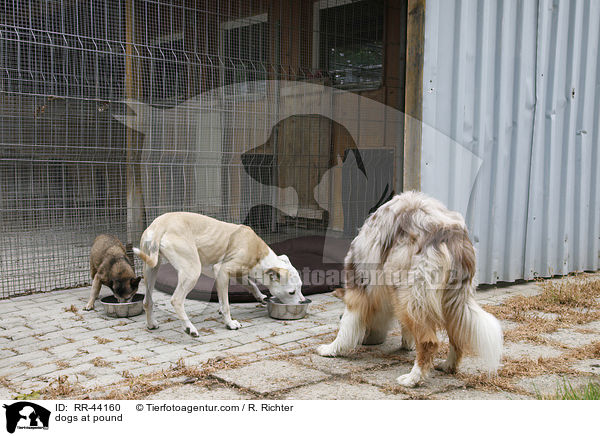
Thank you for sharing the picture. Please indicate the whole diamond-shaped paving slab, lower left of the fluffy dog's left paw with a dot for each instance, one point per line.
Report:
(270, 375)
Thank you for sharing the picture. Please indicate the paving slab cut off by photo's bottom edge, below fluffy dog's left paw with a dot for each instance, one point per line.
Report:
(340, 390)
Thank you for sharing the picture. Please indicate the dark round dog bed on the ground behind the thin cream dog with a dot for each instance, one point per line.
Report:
(319, 262)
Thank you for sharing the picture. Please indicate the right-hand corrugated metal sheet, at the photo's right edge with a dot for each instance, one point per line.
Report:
(562, 229)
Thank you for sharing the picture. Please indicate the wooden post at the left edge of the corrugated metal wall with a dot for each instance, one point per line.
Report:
(415, 44)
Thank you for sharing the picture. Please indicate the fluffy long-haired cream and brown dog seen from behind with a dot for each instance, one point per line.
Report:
(412, 260)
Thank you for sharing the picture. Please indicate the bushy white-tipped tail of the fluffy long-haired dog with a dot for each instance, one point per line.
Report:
(471, 327)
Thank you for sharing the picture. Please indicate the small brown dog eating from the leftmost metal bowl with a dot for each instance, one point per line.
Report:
(111, 267)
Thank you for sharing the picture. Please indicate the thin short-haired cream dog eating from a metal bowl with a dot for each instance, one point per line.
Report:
(189, 241)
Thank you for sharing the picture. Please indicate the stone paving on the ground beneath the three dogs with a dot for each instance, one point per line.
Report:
(47, 337)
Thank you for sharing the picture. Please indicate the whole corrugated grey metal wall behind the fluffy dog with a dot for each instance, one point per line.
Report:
(517, 84)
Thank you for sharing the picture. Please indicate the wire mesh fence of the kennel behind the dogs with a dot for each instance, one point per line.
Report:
(113, 112)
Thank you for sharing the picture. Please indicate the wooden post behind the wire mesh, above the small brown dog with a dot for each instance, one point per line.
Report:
(135, 203)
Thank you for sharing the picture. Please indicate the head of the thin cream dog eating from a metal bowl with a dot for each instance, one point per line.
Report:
(283, 281)
